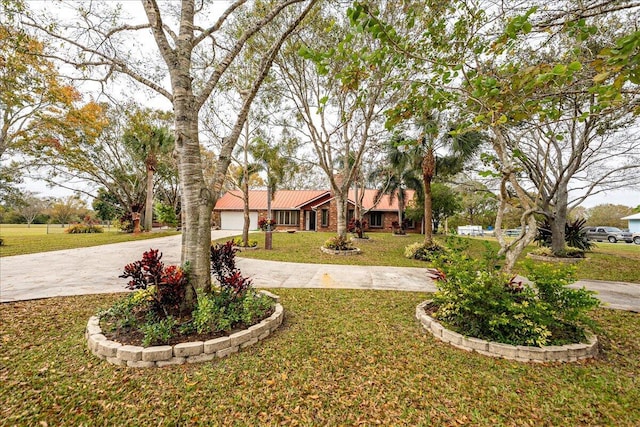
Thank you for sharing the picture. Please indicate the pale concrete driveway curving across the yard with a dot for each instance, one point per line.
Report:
(95, 270)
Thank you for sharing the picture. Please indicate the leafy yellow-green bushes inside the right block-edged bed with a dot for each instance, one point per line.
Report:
(482, 302)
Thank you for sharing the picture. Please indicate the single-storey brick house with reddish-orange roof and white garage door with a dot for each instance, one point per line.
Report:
(305, 210)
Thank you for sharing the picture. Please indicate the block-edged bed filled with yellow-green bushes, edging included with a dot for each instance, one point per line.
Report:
(506, 316)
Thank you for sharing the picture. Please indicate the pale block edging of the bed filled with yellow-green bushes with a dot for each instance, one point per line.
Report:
(520, 353)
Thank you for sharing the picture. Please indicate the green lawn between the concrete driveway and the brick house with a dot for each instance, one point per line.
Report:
(617, 262)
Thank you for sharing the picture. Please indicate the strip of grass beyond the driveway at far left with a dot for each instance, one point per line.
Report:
(22, 240)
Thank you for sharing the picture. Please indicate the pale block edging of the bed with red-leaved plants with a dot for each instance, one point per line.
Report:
(188, 352)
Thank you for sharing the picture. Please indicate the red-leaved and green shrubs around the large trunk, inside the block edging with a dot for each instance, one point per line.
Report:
(153, 310)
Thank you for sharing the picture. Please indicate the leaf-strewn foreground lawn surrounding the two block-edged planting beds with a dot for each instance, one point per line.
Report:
(340, 358)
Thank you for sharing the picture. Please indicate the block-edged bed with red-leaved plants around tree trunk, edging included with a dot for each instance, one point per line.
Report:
(156, 325)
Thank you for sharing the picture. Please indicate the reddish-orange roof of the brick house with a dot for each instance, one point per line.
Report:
(295, 199)
